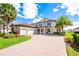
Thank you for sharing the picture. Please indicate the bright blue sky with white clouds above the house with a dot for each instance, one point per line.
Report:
(31, 13)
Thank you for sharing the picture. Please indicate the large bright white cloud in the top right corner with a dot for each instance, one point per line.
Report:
(72, 8)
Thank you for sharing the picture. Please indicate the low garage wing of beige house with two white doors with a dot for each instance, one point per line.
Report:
(22, 29)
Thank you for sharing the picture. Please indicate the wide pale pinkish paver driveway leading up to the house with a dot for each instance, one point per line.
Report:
(39, 45)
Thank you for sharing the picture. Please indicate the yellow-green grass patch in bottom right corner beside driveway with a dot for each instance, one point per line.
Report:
(72, 51)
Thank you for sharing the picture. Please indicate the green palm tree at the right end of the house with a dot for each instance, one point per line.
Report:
(62, 22)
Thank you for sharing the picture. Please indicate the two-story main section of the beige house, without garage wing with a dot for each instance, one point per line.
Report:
(45, 26)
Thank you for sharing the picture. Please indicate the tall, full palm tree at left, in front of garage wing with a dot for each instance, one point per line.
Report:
(7, 14)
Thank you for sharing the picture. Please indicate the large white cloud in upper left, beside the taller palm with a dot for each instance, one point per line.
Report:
(30, 10)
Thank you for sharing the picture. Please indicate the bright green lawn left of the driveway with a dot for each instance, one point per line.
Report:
(12, 41)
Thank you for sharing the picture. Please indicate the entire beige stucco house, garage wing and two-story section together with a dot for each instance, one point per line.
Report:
(45, 26)
